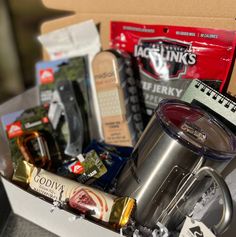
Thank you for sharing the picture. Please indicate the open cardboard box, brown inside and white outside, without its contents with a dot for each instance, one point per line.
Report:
(216, 14)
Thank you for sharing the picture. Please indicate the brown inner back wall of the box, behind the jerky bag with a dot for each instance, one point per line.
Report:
(104, 22)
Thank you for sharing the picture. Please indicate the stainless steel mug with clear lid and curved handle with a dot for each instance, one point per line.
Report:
(180, 146)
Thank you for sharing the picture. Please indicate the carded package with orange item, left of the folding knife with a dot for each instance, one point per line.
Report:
(30, 137)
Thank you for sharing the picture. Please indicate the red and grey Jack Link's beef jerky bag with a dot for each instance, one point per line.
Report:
(169, 56)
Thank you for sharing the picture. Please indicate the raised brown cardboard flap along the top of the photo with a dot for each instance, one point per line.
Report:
(194, 8)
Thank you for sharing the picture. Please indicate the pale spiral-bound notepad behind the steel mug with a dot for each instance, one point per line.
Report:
(214, 102)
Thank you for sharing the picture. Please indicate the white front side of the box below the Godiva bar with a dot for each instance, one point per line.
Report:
(59, 222)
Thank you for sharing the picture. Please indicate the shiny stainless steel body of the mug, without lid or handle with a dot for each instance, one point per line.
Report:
(161, 162)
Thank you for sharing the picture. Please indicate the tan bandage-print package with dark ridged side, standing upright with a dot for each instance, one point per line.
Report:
(121, 117)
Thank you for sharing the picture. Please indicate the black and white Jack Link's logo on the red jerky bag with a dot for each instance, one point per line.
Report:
(163, 58)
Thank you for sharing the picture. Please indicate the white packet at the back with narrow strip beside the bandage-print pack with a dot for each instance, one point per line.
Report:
(78, 40)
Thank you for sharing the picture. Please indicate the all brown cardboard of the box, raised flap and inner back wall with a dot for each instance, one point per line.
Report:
(197, 13)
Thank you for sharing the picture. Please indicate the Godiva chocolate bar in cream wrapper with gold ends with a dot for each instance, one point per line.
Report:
(84, 199)
